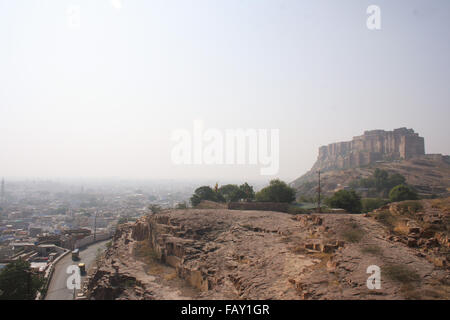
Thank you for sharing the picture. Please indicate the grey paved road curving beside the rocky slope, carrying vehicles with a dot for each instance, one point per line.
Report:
(57, 289)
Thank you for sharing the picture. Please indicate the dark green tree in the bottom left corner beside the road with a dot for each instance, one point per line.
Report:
(18, 282)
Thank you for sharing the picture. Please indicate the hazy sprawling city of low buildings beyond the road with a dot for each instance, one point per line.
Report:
(42, 219)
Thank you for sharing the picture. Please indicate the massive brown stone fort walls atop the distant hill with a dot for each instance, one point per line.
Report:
(372, 146)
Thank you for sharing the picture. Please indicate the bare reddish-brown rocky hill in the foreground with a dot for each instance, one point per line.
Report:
(231, 254)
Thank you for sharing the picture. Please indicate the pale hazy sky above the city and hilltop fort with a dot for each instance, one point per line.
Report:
(102, 100)
